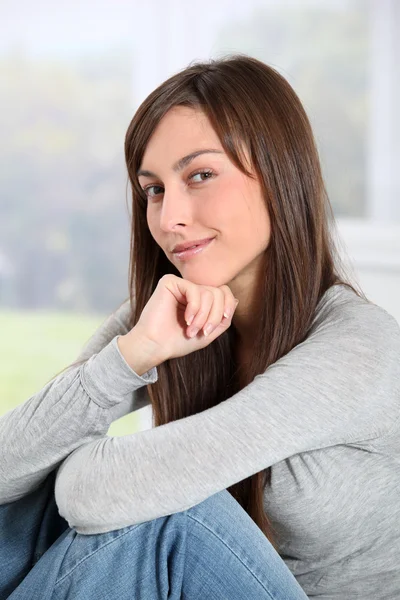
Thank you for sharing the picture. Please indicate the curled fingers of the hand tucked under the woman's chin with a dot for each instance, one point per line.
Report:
(208, 308)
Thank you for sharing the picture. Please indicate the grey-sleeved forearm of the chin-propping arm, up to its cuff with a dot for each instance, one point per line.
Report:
(38, 434)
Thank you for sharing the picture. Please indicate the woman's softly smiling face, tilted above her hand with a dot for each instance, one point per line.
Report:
(207, 197)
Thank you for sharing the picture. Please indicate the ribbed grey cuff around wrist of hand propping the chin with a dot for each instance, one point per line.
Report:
(108, 378)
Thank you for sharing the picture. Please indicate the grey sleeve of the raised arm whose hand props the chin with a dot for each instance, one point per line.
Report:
(75, 408)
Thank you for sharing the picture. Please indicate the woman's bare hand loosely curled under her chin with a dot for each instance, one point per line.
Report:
(164, 319)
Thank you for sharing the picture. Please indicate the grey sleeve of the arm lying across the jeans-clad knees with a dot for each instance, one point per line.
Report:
(340, 385)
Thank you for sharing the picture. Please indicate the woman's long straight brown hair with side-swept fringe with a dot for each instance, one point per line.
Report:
(249, 104)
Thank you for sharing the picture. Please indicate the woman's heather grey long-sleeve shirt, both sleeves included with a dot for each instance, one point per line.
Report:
(325, 417)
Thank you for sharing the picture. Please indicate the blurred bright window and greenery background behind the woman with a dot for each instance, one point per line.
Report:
(71, 77)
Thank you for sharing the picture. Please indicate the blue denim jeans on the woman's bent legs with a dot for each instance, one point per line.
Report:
(213, 551)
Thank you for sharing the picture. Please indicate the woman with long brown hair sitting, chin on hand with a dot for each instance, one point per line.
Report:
(272, 471)
